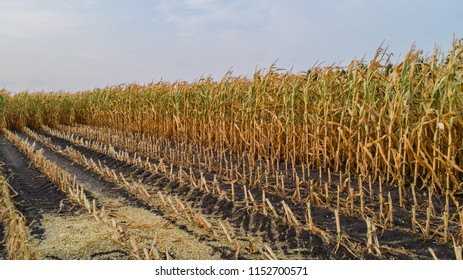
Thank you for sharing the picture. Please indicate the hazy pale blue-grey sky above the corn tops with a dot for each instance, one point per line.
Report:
(74, 45)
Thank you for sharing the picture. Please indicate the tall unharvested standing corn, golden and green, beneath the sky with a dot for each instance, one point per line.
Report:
(403, 122)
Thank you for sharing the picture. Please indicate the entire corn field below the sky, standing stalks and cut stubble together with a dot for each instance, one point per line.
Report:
(356, 163)
